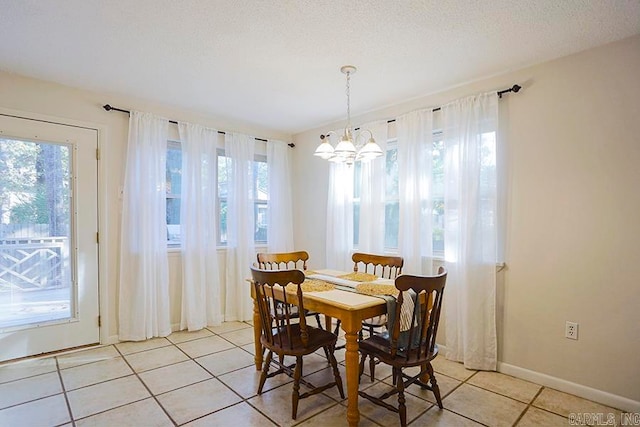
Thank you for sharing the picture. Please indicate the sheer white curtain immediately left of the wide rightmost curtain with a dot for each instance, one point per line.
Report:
(415, 159)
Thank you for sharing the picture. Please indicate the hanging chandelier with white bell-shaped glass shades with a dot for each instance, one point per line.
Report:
(350, 149)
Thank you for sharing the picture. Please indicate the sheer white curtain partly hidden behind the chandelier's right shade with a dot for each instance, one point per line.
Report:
(372, 194)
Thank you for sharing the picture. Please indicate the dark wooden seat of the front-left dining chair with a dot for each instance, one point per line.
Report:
(292, 344)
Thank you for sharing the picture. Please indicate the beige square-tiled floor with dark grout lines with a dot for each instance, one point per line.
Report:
(208, 378)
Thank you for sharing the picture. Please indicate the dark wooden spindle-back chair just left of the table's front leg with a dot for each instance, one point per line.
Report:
(286, 336)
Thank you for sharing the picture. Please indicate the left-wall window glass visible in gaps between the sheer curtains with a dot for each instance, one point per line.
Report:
(259, 194)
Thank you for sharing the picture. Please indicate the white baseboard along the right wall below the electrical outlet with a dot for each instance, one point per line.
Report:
(603, 397)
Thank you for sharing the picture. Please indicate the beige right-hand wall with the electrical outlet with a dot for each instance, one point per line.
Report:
(573, 248)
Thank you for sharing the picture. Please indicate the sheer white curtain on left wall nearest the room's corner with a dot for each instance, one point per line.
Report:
(280, 214)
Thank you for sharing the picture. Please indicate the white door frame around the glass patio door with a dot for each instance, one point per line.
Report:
(104, 306)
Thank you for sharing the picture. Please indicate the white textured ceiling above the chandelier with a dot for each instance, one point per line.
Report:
(275, 63)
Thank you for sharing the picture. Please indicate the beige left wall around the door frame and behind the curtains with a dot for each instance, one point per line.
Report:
(31, 97)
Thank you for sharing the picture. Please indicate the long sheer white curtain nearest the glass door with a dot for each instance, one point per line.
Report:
(144, 278)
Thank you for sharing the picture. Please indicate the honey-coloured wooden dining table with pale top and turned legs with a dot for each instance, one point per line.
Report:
(342, 302)
